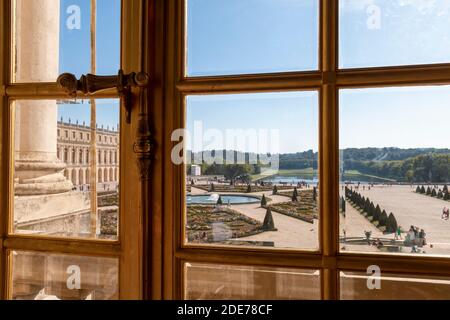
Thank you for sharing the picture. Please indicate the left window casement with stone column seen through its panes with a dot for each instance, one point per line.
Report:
(55, 223)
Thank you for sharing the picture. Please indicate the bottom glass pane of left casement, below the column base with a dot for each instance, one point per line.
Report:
(42, 276)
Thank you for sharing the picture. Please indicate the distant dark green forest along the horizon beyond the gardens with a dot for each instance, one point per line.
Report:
(402, 165)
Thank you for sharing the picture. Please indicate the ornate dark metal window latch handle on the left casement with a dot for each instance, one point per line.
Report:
(90, 83)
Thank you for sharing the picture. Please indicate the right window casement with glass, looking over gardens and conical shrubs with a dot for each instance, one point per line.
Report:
(389, 121)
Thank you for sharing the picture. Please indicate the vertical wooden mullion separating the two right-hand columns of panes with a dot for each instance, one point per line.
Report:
(329, 154)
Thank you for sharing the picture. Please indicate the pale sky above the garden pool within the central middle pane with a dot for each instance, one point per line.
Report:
(294, 115)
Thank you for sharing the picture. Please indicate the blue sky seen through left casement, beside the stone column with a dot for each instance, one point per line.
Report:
(75, 56)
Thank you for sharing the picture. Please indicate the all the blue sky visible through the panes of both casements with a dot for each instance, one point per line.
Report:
(257, 36)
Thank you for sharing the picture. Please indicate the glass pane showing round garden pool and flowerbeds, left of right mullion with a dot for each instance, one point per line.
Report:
(252, 170)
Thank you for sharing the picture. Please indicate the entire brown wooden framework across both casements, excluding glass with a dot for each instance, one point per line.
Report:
(150, 247)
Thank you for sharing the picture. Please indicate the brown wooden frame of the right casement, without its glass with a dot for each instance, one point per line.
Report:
(328, 80)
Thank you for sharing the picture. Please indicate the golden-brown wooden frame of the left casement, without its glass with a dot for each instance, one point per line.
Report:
(128, 248)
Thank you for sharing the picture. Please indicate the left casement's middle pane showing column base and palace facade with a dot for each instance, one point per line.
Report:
(58, 156)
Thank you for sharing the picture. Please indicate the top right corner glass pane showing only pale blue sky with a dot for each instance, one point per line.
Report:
(393, 32)
